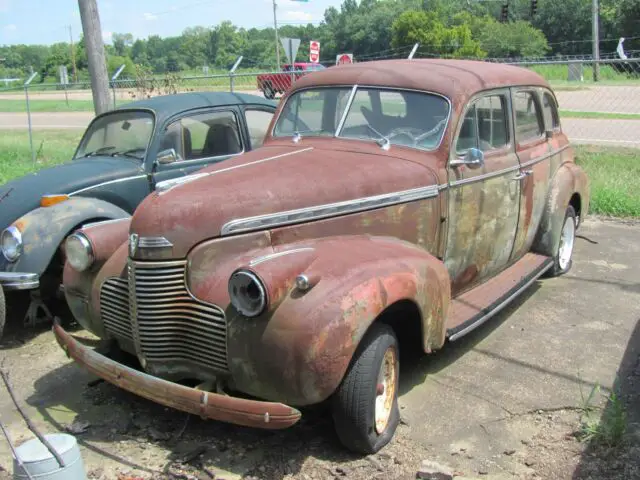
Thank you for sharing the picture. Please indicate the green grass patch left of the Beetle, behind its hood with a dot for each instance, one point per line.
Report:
(53, 147)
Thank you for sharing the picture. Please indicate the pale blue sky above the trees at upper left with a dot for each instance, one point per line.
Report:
(48, 21)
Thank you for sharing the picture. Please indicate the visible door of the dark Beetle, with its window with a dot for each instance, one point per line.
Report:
(198, 140)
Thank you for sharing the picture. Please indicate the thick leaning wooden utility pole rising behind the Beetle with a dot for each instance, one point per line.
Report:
(95, 55)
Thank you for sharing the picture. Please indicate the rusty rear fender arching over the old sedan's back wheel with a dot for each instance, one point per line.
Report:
(569, 179)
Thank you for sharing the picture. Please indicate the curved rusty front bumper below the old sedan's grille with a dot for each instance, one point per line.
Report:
(240, 411)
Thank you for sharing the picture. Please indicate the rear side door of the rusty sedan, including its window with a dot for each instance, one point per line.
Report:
(533, 149)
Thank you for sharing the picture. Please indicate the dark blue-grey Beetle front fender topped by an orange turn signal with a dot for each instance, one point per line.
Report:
(44, 229)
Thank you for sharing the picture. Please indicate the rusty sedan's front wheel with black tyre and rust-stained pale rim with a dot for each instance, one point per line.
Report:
(365, 406)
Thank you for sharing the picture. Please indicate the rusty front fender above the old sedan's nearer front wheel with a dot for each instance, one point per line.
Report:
(298, 351)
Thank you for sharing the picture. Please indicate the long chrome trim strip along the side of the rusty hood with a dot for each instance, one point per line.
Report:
(328, 210)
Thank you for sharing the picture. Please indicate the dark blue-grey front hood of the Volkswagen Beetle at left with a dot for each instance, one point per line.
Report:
(22, 195)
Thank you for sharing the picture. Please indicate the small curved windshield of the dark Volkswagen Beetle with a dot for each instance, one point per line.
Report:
(125, 134)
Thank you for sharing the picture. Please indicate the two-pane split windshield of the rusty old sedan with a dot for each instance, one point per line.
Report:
(389, 117)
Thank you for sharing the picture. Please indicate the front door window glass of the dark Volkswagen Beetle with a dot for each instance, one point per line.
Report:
(203, 136)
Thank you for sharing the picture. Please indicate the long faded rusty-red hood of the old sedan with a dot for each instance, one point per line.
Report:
(272, 179)
